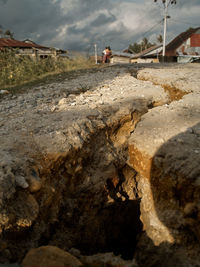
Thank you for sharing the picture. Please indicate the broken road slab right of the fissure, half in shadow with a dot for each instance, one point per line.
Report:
(163, 149)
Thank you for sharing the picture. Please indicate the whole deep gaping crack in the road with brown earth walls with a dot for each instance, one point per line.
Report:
(88, 199)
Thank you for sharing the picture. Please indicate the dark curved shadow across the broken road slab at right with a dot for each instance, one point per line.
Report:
(175, 185)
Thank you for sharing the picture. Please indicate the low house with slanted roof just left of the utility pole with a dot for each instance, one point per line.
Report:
(149, 55)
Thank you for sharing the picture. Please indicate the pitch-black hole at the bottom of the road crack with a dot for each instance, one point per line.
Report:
(114, 229)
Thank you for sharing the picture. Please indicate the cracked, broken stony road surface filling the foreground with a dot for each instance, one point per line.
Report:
(103, 169)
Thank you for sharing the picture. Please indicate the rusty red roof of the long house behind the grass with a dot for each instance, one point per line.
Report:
(6, 42)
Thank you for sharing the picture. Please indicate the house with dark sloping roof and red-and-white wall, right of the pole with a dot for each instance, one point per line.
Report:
(185, 47)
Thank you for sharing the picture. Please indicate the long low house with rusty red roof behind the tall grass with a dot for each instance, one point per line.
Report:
(29, 48)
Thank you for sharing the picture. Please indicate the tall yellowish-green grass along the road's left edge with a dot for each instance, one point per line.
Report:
(17, 70)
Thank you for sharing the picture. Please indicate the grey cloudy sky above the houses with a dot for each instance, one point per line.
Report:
(78, 24)
